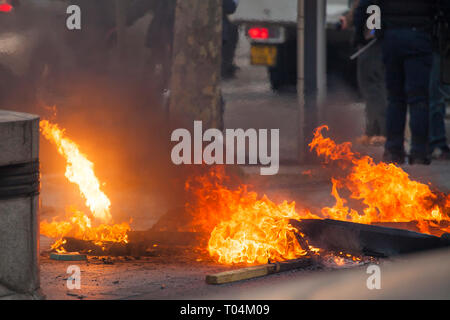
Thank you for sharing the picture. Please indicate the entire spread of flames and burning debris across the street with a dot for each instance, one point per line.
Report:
(235, 225)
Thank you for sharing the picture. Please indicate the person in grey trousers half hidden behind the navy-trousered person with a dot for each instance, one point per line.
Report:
(371, 78)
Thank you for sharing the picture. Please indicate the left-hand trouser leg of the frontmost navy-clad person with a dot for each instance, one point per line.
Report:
(396, 110)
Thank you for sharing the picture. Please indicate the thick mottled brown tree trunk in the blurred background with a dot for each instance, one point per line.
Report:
(195, 80)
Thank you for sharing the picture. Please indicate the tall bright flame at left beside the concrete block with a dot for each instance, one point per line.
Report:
(80, 170)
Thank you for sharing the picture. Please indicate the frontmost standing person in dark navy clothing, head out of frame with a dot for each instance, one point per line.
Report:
(406, 34)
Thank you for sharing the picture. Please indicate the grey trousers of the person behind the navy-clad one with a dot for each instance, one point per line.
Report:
(371, 82)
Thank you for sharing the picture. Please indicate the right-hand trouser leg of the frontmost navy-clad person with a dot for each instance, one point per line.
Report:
(417, 68)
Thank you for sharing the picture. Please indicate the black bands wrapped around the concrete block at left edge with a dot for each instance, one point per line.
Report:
(19, 180)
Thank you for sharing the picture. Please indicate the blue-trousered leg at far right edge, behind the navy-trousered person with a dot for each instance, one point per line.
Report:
(438, 138)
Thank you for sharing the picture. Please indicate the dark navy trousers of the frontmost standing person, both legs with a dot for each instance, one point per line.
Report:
(407, 54)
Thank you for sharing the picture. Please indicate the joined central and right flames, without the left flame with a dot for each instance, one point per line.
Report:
(245, 228)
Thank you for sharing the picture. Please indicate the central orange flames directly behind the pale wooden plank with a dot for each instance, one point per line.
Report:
(245, 229)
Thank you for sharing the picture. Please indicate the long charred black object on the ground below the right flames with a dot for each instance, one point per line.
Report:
(362, 239)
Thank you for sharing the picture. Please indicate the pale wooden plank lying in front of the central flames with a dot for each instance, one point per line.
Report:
(257, 271)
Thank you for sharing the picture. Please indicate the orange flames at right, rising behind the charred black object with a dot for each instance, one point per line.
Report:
(385, 189)
